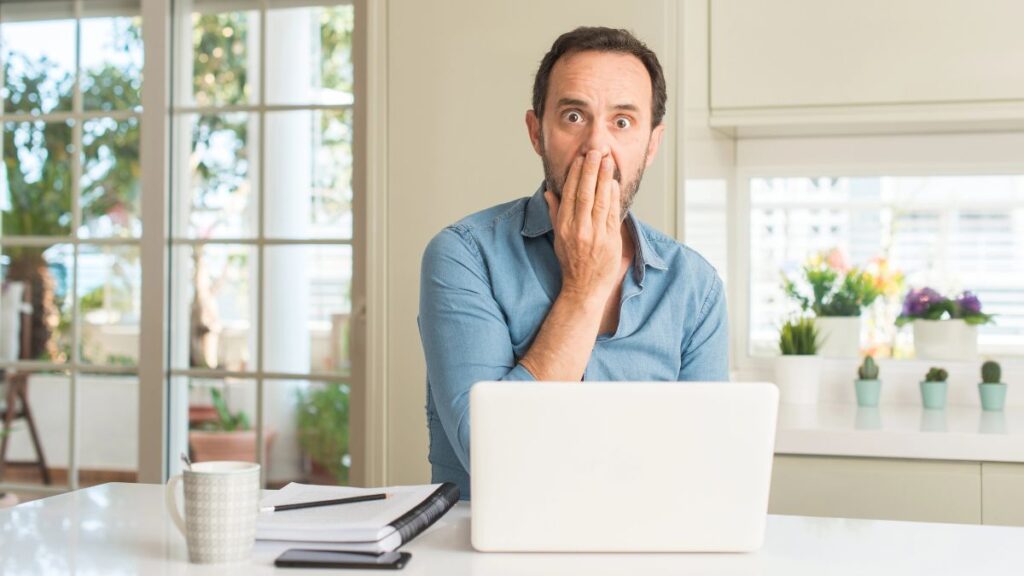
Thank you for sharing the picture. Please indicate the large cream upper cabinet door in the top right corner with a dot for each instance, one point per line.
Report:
(842, 53)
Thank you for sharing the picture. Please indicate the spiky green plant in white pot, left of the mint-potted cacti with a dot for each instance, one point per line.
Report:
(798, 369)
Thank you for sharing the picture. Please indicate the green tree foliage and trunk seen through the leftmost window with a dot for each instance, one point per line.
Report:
(37, 162)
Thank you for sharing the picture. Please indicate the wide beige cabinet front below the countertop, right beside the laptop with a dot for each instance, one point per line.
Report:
(877, 488)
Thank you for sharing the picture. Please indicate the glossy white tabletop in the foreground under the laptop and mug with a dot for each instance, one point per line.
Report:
(118, 529)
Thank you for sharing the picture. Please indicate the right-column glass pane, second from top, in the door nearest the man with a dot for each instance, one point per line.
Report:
(310, 180)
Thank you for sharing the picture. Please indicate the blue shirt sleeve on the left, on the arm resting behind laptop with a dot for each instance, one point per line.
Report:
(464, 334)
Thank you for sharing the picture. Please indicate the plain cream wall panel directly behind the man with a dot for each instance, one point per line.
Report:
(460, 78)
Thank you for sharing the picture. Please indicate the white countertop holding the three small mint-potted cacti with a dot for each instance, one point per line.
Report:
(959, 433)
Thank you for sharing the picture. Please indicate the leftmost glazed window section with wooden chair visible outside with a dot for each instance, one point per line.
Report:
(70, 234)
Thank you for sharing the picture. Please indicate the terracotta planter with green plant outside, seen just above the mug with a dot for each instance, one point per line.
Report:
(230, 437)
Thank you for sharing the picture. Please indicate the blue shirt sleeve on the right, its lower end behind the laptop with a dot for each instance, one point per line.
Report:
(706, 353)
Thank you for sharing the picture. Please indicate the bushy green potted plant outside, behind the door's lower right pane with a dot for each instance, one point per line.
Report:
(323, 431)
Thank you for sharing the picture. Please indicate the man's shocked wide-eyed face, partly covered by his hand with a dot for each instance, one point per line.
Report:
(598, 101)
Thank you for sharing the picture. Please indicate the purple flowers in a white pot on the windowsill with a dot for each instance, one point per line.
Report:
(944, 328)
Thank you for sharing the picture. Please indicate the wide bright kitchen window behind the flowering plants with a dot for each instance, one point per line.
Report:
(951, 233)
